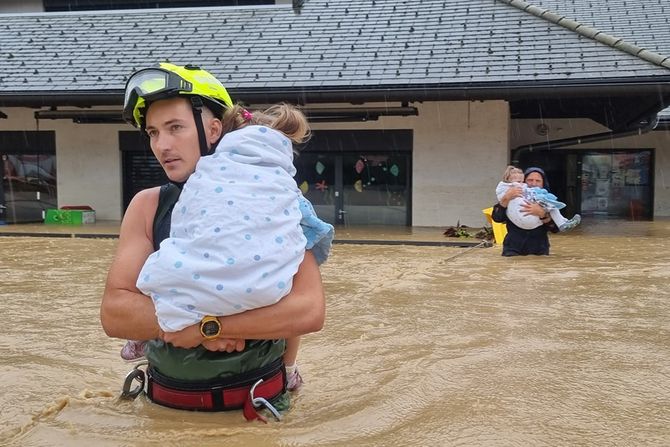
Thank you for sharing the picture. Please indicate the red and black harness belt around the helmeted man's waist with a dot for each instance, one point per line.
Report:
(222, 395)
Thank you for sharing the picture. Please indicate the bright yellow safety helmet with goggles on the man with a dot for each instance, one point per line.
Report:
(169, 81)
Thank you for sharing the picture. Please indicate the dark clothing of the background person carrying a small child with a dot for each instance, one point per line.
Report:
(523, 242)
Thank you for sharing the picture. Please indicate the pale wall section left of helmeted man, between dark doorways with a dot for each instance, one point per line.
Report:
(88, 161)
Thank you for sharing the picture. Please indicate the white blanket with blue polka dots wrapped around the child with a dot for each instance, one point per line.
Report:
(238, 233)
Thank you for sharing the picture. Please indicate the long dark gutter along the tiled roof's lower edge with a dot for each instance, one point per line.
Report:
(460, 92)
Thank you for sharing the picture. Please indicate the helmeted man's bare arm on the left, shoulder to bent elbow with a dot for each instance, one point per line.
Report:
(125, 312)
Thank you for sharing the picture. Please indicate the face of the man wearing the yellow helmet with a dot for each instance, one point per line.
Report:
(173, 137)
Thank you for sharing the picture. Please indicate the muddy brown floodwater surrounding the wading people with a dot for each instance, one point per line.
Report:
(423, 345)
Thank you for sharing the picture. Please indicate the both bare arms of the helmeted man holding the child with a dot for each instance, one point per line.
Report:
(126, 313)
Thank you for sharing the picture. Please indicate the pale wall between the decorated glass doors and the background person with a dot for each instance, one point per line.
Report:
(460, 149)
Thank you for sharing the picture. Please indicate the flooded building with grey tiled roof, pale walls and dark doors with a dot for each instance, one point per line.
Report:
(414, 121)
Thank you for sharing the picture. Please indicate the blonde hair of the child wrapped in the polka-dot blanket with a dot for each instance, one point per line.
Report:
(283, 117)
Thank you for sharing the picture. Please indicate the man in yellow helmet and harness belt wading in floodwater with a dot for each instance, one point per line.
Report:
(187, 370)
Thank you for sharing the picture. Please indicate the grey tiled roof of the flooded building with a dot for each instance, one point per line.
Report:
(328, 44)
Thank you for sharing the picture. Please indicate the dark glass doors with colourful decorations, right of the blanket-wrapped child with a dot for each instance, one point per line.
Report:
(358, 177)
